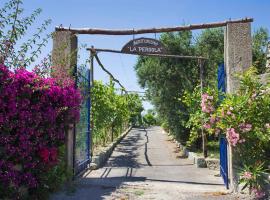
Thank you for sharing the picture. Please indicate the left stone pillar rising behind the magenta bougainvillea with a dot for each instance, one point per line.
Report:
(64, 60)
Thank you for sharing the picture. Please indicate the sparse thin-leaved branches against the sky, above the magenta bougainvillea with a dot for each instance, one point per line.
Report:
(13, 27)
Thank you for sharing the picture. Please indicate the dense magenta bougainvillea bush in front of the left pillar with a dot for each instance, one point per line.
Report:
(34, 112)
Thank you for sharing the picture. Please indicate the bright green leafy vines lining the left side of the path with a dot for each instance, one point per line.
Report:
(111, 111)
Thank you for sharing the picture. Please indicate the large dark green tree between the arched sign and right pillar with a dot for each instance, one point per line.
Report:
(167, 79)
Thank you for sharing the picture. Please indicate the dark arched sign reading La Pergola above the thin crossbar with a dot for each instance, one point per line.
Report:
(144, 46)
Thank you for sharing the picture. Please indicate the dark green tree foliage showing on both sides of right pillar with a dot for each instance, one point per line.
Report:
(166, 80)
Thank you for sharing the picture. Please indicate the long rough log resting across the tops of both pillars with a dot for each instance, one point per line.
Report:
(149, 30)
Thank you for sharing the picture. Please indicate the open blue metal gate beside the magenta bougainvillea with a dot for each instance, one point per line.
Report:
(82, 132)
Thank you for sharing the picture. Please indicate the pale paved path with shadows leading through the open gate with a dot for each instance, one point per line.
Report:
(145, 166)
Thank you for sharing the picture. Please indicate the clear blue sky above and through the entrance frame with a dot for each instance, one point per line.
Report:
(118, 14)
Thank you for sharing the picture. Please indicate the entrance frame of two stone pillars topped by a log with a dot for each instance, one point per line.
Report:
(237, 58)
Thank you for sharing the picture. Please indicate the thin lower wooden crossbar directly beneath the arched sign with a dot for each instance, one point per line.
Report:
(94, 50)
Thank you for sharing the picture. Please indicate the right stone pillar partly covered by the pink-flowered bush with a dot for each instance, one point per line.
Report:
(238, 58)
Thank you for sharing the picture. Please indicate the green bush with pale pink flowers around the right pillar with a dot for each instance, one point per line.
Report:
(244, 119)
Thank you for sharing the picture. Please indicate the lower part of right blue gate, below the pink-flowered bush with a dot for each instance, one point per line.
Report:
(224, 161)
